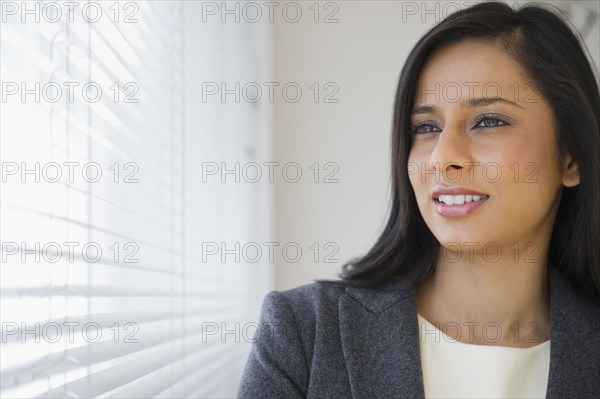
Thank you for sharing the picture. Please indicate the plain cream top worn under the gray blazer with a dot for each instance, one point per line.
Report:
(453, 369)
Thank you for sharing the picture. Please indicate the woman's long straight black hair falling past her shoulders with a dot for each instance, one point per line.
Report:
(555, 59)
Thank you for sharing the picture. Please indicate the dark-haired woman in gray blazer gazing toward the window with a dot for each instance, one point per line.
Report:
(486, 279)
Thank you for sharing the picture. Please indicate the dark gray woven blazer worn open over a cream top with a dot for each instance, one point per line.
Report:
(322, 340)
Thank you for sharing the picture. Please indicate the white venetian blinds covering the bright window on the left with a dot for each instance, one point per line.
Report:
(104, 288)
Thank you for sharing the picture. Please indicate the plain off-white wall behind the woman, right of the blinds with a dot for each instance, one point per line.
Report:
(363, 54)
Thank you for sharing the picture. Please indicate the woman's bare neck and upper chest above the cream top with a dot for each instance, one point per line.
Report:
(504, 303)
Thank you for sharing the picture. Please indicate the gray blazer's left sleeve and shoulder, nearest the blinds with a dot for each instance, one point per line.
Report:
(280, 361)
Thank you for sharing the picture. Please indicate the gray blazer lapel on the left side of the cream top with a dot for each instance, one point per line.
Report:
(380, 341)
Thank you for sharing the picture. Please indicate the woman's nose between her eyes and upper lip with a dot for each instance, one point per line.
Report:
(451, 154)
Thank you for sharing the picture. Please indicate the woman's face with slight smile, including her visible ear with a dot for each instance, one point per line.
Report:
(479, 126)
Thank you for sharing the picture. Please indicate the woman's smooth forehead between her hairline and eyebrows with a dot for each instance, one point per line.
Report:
(472, 68)
